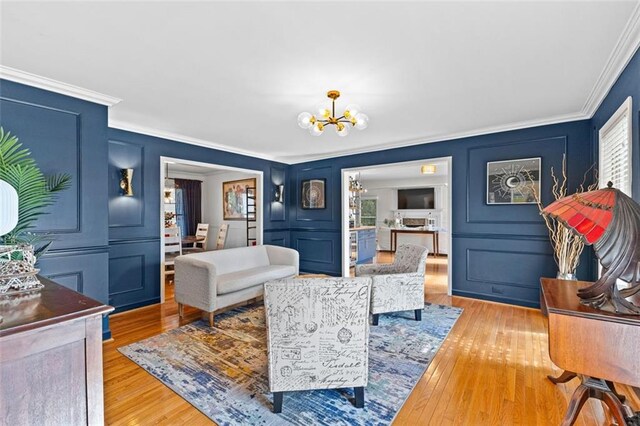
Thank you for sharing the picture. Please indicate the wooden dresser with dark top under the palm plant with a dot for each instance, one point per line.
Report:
(51, 357)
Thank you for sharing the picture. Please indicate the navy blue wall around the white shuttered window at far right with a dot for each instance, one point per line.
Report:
(628, 84)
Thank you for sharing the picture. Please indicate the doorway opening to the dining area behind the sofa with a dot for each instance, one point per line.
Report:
(224, 197)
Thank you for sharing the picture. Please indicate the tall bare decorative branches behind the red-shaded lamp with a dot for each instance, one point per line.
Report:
(567, 246)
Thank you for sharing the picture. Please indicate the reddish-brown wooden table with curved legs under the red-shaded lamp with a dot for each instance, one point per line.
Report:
(597, 346)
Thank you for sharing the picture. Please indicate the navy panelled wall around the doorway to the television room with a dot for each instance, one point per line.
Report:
(499, 252)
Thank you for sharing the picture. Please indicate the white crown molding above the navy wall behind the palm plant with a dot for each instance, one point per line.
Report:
(51, 85)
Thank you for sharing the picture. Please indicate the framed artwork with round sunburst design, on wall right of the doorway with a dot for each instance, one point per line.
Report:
(513, 181)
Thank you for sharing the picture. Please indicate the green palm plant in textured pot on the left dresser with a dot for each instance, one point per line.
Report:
(35, 192)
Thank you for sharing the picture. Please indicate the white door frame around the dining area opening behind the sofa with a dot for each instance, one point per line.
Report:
(259, 201)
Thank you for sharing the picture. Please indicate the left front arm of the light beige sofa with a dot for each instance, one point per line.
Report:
(195, 283)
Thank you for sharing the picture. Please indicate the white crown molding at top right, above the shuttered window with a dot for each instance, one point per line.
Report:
(625, 48)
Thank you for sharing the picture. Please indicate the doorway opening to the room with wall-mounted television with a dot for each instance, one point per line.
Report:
(388, 204)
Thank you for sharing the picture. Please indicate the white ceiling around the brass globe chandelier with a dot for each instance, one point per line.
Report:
(236, 75)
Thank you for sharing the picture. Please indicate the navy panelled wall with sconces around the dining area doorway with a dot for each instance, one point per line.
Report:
(134, 222)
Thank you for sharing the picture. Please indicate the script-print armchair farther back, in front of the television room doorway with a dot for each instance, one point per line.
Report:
(398, 286)
